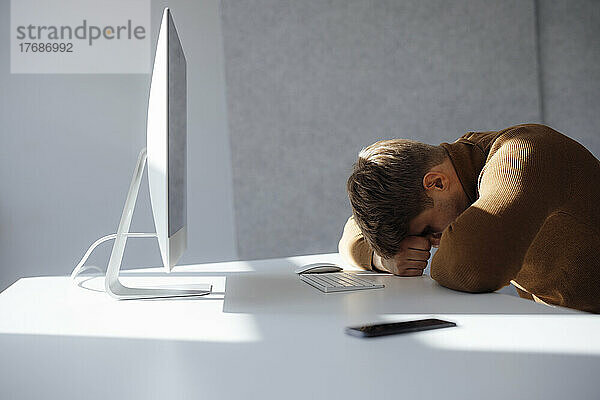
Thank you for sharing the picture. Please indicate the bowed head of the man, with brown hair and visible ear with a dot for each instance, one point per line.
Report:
(402, 187)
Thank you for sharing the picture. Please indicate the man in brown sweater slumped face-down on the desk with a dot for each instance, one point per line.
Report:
(518, 205)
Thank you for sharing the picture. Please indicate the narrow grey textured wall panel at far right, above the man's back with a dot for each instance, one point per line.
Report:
(570, 60)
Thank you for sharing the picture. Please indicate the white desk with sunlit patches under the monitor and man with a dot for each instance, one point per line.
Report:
(264, 334)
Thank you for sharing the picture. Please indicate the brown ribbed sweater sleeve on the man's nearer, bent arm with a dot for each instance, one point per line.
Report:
(484, 248)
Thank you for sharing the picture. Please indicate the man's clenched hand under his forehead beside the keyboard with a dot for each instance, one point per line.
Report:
(411, 260)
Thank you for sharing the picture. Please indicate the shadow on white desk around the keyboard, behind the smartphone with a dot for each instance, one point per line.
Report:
(279, 293)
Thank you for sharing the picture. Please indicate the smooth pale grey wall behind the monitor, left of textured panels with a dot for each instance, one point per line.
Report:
(69, 143)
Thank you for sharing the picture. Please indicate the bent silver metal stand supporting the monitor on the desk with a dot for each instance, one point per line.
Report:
(112, 284)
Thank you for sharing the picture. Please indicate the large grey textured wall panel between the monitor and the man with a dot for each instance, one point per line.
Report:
(310, 82)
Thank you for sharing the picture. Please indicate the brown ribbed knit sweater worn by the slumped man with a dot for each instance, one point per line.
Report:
(534, 219)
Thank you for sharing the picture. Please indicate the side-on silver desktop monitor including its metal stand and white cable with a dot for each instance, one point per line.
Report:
(167, 168)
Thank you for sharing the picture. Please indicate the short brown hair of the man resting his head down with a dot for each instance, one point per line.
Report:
(386, 190)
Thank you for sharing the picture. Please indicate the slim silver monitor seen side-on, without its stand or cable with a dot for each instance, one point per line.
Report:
(167, 145)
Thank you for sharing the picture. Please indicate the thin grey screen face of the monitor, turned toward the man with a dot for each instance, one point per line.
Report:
(177, 142)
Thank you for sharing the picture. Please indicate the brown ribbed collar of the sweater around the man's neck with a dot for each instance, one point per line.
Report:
(468, 160)
